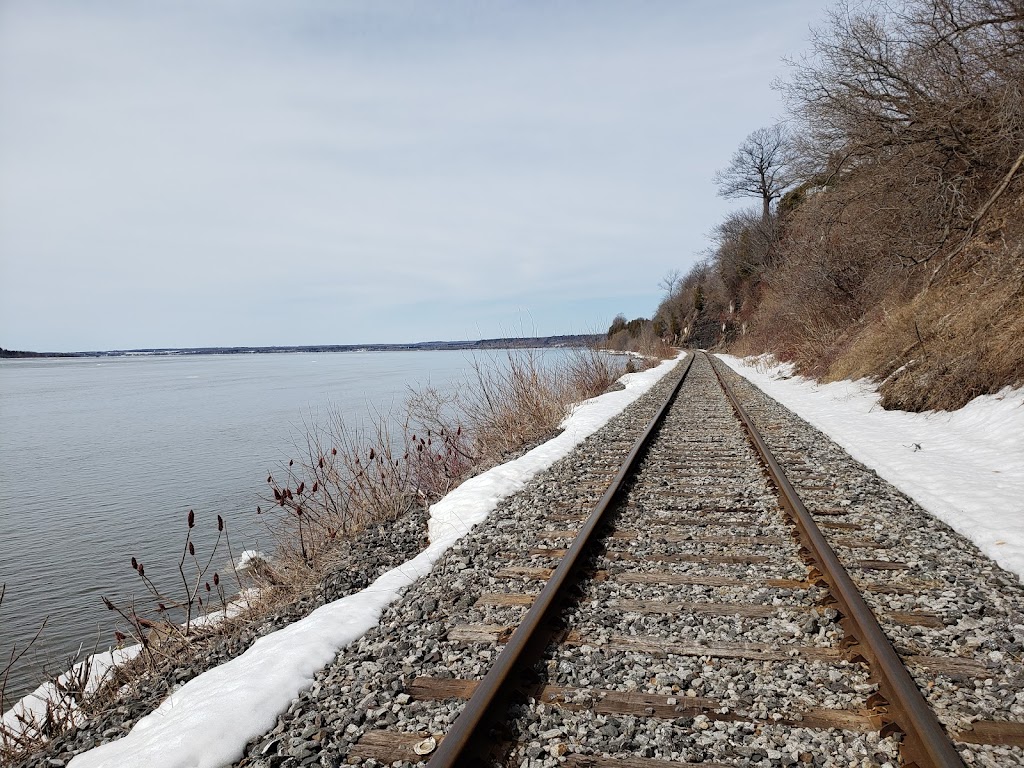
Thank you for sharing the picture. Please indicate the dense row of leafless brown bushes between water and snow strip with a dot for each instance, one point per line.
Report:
(349, 478)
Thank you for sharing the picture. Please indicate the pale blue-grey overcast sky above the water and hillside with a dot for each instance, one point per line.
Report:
(249, 173)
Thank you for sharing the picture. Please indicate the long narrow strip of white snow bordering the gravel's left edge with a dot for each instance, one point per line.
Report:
(209, 720)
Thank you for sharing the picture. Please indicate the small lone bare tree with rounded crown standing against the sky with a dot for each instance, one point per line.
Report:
(759, 168)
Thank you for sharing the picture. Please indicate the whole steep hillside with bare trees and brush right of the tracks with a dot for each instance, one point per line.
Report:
(888, 238)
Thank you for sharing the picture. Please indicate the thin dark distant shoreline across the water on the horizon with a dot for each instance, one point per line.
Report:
(579, 340)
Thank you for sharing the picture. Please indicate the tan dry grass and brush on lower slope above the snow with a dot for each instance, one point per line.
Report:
(930, 349)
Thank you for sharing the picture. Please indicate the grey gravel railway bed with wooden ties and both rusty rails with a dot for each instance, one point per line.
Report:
(702, 626)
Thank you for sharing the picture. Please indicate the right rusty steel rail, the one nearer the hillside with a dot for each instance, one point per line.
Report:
(926, 744)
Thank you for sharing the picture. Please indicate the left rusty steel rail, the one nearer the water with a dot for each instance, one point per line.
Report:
(455, 749)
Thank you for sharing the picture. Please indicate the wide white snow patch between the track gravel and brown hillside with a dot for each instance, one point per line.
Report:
(966, 467)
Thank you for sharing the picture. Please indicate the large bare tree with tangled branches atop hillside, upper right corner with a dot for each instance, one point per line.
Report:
(919, 109)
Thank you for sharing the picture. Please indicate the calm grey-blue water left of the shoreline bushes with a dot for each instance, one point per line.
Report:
(102, 459)
